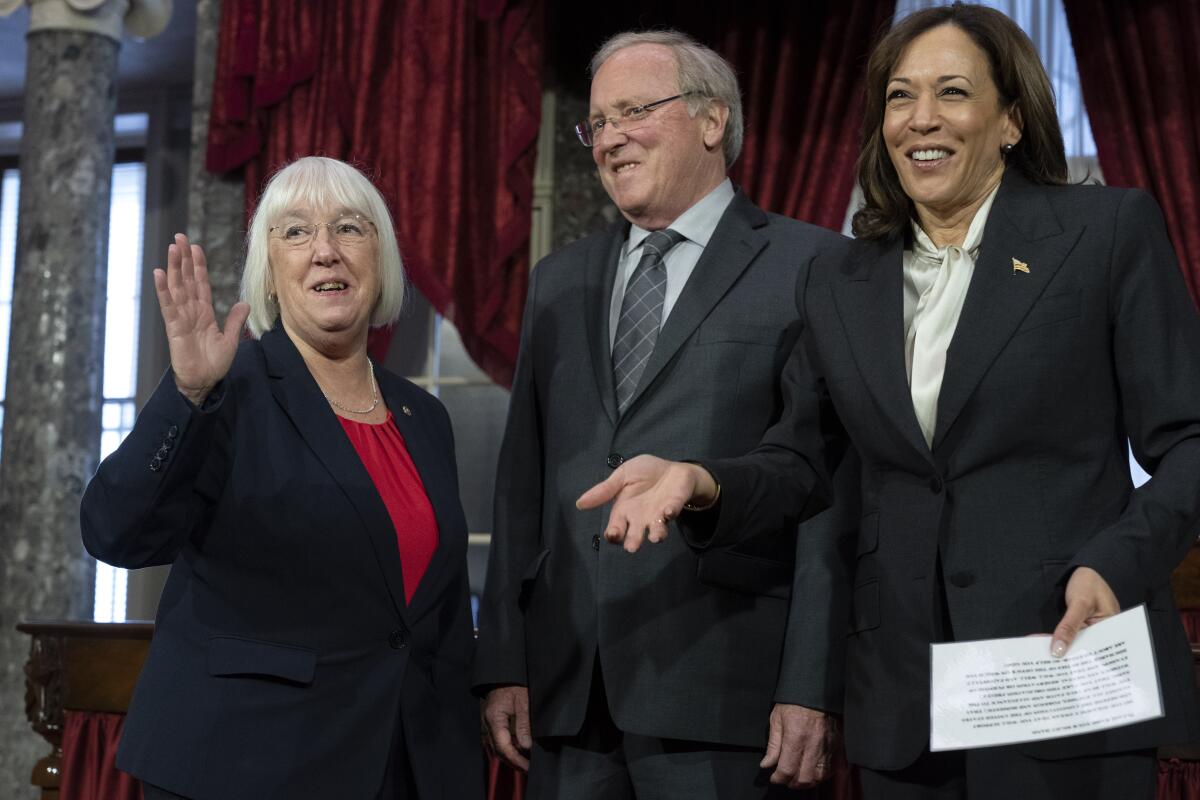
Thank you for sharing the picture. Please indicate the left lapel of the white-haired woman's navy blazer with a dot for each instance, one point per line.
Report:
(297, 393)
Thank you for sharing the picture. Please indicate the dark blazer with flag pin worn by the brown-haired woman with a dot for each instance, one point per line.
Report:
(1051, 372)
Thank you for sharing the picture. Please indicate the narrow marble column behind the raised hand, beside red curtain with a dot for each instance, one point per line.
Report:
(217, 204)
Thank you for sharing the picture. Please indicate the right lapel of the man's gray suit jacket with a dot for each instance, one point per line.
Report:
(734, 246)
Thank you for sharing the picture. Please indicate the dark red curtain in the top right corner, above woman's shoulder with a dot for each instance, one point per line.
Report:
(1139, 69)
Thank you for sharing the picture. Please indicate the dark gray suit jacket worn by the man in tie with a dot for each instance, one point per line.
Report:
(692, 643)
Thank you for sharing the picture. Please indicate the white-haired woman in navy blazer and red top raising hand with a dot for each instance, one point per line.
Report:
(315, 635)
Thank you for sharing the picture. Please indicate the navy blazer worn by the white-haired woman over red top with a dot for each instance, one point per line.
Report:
(285, 654)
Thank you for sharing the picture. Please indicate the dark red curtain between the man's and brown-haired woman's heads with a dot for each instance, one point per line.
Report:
(801, 68)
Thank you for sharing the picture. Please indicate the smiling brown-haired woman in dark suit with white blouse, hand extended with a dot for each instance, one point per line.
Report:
(992, 345)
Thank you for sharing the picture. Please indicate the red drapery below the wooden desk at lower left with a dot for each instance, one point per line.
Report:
(89, 754)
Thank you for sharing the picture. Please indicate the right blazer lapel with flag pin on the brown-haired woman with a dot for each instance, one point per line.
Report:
(1024, 227)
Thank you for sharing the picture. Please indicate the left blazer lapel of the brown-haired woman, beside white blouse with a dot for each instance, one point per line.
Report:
(871, 305)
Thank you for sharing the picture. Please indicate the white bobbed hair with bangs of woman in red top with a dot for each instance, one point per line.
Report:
(320, 183)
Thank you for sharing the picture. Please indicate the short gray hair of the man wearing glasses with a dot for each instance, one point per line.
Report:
(700, 70)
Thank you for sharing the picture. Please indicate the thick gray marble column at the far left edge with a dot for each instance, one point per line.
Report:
(56, 357)
